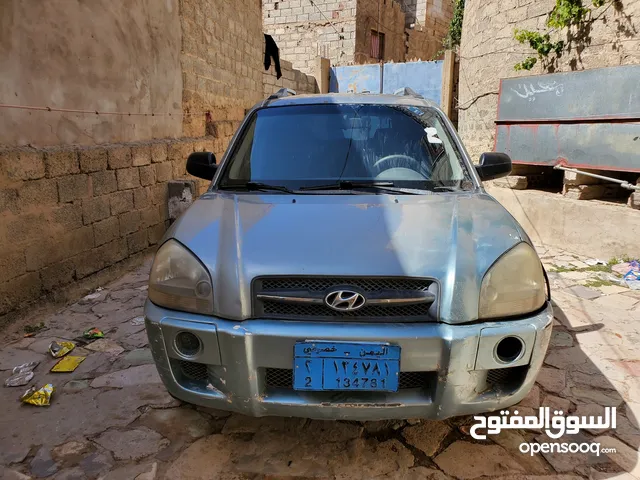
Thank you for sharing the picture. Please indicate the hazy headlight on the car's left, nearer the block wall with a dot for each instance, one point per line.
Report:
(179, 281)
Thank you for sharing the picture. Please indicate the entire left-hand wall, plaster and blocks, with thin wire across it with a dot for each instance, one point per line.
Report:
(80, 201)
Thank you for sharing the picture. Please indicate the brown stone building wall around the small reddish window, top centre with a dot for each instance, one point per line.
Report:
(391, 24)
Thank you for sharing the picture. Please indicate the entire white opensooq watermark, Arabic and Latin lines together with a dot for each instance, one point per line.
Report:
(555, 426)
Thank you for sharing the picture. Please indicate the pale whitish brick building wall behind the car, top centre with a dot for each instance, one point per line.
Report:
(302, 31)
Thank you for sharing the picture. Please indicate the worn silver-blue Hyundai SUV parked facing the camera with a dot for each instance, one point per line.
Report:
(347, 263)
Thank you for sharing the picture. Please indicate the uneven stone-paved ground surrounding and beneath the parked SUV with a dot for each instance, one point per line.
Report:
(112, 419)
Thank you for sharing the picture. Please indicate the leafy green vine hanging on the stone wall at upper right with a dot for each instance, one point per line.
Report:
(565, 14)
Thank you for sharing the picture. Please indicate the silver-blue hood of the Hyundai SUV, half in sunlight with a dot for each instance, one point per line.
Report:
(451, 237)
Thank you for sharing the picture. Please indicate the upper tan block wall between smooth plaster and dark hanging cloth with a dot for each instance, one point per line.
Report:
(222, 63)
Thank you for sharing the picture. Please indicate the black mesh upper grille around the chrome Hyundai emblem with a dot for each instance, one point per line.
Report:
(318, 286)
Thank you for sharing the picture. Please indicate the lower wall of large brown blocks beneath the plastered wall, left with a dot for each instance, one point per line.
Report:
(71, 214)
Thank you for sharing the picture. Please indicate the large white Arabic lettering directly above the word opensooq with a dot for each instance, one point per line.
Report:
(555, 425)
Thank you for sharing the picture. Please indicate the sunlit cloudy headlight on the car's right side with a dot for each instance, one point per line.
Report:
(514, 285)
